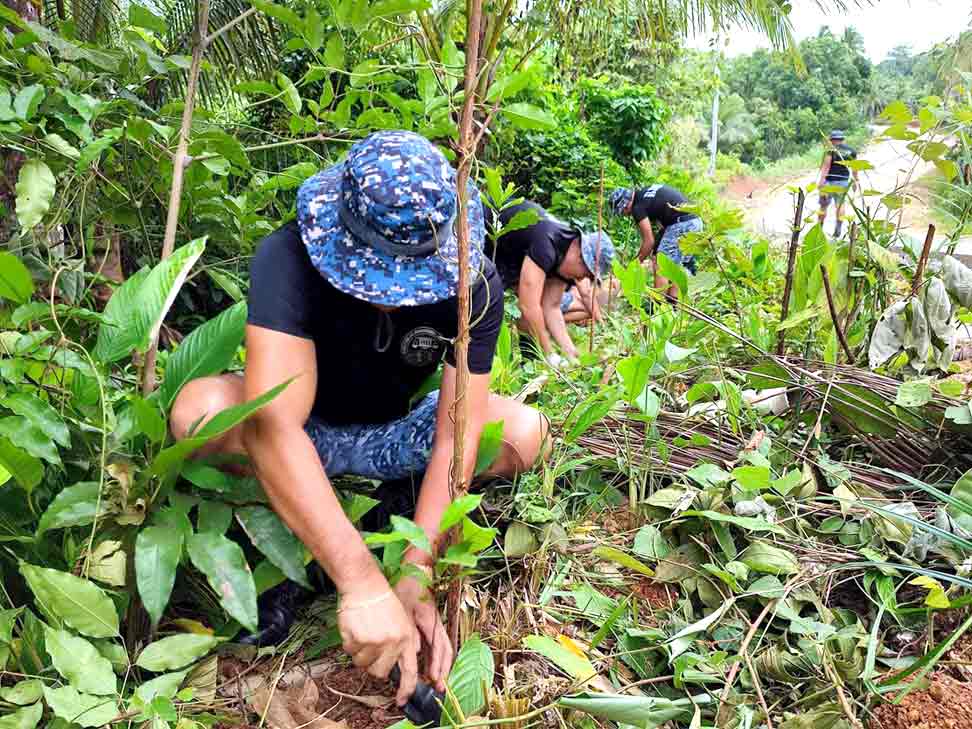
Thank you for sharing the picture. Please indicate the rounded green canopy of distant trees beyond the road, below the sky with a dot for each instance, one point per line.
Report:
(783, 109)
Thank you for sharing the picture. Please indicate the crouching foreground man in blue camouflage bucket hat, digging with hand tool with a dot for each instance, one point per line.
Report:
(355, 303)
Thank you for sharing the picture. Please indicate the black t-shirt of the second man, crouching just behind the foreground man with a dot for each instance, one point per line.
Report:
(545, 242)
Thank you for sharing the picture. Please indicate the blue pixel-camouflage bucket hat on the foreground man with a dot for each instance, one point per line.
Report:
(380, 225)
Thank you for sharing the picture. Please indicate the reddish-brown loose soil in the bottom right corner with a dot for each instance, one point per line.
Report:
(946, 704)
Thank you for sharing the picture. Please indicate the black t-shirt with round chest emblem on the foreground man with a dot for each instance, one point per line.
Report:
(369, 363)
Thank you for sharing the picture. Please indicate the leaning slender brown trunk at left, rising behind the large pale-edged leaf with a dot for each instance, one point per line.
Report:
(178, 169)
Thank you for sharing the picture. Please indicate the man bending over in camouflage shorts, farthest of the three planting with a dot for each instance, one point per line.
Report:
(659, 205)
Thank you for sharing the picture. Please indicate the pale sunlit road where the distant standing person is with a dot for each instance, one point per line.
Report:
(769, 207)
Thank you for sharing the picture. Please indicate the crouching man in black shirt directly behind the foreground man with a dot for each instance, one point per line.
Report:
(548, 263)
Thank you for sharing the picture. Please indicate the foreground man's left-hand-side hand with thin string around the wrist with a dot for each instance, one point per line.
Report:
(378, 632)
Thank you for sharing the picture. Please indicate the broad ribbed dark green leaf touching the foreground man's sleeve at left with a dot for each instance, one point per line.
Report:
(207, 351)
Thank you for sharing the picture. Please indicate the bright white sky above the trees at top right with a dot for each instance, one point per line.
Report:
(883, 23)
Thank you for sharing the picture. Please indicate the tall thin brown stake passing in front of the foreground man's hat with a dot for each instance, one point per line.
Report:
(460, 407)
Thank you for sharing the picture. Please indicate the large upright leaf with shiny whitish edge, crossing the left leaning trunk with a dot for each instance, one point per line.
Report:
(137, 324)
